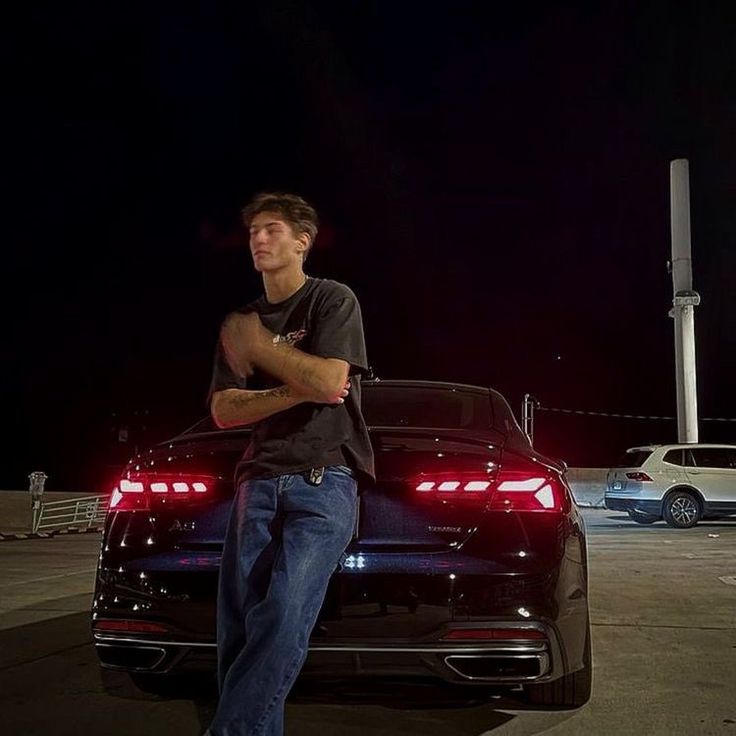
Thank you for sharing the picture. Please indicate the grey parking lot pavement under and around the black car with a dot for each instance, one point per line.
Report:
(663, 608)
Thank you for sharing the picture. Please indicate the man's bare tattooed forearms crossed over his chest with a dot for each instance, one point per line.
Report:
(307, 378)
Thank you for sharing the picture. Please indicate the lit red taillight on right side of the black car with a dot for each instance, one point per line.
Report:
(530, 488)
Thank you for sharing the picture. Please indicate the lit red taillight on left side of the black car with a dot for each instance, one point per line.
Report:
(137, 491)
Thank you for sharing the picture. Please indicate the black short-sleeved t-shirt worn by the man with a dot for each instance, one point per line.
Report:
(322, 318)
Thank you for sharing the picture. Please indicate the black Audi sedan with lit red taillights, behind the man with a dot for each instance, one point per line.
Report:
(468, 562)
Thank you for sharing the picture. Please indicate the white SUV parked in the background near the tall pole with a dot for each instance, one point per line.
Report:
(678, 483)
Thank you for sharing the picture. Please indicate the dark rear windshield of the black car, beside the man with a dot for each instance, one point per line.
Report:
(406, 406)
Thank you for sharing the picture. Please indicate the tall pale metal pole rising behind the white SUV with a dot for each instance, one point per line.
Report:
(683, 303)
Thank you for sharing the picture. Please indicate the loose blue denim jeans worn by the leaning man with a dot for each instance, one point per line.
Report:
(284, 540)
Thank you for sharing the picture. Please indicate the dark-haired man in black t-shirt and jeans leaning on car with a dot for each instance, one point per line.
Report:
(289, 364)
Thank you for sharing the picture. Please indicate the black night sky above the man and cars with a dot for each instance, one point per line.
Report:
(493, 182)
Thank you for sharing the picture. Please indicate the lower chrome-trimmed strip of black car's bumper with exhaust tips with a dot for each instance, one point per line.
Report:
(502, 663)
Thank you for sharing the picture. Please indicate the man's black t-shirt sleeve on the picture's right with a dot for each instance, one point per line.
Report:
(337, 331)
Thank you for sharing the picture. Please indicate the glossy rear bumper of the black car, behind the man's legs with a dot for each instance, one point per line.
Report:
(386, 615)
